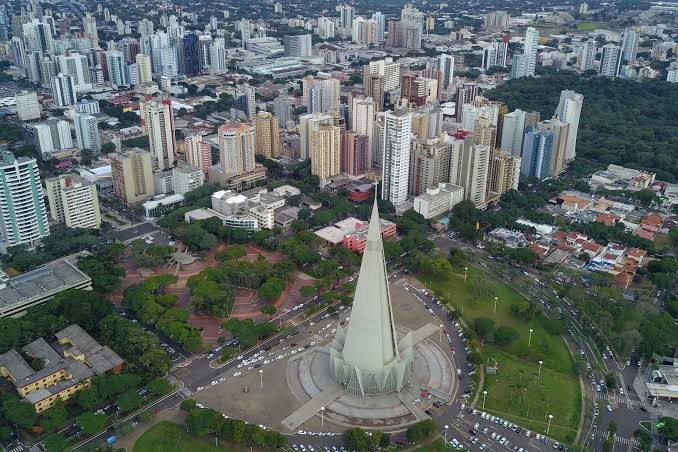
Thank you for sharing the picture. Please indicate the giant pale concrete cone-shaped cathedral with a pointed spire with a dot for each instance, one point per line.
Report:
(367, 357)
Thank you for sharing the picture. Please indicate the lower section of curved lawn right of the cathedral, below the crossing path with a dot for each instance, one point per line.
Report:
(516, 394)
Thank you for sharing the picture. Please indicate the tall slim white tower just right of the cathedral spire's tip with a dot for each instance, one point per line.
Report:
(396, 159)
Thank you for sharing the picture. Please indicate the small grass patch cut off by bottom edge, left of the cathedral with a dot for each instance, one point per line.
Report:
(170, 437)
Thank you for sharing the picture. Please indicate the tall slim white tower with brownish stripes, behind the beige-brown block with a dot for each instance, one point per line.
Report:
(157, 120)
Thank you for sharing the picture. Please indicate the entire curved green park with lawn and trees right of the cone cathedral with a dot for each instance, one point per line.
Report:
(531, 376)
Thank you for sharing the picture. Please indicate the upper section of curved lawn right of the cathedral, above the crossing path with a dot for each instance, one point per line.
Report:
(465, 298)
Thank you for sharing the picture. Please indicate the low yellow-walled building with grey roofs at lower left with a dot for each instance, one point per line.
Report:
(71, 362)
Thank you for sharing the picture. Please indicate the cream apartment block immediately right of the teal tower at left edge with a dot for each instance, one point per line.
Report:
(73, 200)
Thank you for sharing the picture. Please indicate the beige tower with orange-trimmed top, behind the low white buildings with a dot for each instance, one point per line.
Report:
(236, 148)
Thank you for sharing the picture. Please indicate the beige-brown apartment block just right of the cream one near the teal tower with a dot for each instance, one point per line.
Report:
(132, 173)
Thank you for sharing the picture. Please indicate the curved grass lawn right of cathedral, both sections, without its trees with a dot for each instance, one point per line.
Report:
(557, 391)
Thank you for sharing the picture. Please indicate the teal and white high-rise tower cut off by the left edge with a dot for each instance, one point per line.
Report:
(23, 216)
